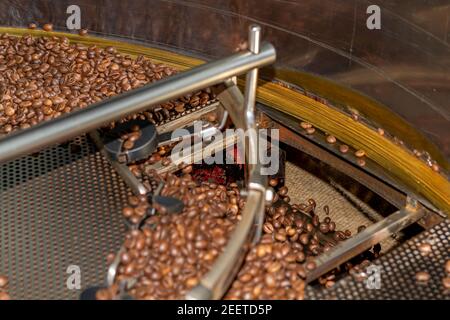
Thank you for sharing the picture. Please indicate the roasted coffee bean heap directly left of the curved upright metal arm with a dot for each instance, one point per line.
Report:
(171, 252)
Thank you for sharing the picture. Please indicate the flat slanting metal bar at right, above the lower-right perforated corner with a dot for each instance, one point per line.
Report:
(372, 235)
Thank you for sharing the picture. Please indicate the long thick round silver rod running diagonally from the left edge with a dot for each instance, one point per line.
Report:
(82, 121)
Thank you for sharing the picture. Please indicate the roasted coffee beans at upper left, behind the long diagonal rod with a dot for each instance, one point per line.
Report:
(42, 78)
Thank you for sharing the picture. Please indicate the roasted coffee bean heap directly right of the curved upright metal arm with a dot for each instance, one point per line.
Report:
(277, 266)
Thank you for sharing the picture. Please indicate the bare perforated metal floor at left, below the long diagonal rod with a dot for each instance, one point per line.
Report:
(58, 208)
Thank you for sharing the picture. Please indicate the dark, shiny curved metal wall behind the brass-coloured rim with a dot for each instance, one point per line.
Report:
(404, 65)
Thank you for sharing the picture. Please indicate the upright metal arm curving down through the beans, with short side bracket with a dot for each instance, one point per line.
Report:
(242, 111)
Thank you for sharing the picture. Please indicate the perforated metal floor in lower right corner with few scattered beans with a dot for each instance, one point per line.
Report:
(398, 270)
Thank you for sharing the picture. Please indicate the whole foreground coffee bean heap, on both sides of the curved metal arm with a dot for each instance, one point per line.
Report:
(171, 252)
